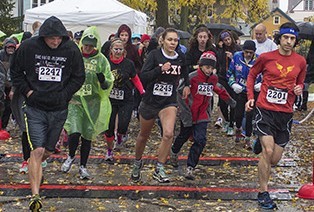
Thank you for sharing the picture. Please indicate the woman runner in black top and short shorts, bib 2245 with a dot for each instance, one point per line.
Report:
(161, 72)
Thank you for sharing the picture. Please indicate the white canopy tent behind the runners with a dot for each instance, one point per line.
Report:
(76, 15)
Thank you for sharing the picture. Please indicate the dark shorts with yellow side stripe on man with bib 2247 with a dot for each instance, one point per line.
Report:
(43, 127)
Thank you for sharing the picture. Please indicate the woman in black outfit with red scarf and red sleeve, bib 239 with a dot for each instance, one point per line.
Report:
(121, 96)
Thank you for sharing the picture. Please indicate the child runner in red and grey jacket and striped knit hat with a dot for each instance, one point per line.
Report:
(195, 111)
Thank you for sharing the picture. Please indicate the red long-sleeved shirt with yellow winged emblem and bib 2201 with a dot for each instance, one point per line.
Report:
(281, 73)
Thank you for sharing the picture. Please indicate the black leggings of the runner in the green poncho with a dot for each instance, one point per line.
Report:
(85, 147)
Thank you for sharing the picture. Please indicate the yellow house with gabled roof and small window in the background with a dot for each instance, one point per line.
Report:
(273, 21)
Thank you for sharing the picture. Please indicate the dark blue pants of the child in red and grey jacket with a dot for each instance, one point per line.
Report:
(199, 136)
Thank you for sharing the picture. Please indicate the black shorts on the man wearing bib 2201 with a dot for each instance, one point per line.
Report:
(276, 124)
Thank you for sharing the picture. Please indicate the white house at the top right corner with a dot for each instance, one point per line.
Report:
(300, 10)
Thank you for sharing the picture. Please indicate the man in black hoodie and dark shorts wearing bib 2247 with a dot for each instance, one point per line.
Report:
(47, 69)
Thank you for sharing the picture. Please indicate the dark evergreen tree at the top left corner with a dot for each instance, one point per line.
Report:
(8, 24)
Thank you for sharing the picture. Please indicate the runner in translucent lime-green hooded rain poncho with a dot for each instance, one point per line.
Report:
(89, 109)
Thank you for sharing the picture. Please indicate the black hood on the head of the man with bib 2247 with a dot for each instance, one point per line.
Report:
(53, 27)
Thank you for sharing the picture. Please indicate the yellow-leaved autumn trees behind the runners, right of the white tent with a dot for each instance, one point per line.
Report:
(186, 14)
